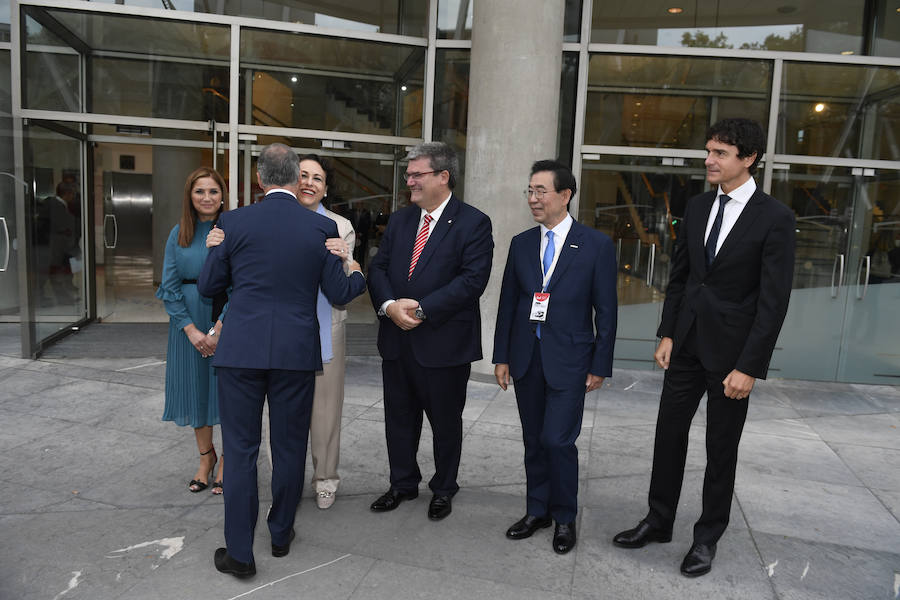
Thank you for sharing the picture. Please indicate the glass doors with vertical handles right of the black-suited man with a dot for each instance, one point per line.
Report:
(841, 321)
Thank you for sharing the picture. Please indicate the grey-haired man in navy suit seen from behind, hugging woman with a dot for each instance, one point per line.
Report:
(275, 259)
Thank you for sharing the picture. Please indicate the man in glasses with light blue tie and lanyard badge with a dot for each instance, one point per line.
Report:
(556, 328)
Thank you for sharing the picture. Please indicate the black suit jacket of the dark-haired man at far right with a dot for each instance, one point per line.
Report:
(738, 304)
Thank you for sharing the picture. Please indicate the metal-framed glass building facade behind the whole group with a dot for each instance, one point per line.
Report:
(122, 100)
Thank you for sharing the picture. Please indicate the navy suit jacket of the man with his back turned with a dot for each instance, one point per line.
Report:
(275, 259)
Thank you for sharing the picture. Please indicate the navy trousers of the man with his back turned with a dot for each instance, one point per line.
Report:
(241, 396)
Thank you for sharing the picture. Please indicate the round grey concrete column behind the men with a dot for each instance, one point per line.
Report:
(512, 122)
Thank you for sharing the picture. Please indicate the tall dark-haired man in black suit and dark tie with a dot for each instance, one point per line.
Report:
(728, 293)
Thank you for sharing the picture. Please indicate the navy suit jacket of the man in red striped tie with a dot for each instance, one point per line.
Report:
(450, 277)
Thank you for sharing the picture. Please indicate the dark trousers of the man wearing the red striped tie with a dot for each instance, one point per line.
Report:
(409, 390)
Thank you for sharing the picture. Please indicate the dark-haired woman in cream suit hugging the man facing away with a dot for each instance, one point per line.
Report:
(316, 175)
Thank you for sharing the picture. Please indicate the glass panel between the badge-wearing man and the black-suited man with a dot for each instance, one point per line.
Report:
(639, 203)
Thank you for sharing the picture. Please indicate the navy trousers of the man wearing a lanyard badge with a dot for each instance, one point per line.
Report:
(551, 422)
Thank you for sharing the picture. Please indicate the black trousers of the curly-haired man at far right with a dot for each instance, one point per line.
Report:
(685, 382)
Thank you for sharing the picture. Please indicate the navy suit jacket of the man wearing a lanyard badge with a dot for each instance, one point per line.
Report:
(580, 331)
